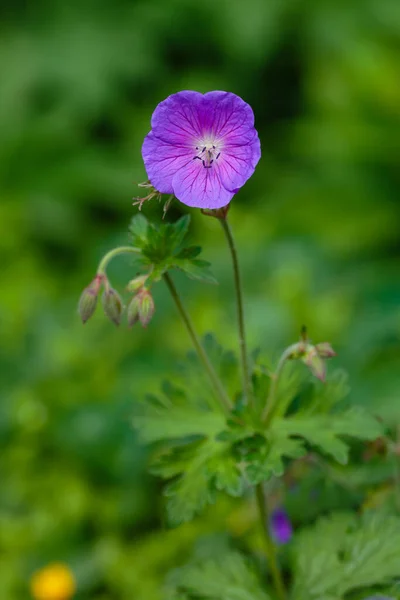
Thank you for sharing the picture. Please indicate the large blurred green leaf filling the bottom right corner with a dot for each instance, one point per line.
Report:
(344, 553)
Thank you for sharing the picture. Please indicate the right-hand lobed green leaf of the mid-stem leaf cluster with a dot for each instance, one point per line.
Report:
(320, 423)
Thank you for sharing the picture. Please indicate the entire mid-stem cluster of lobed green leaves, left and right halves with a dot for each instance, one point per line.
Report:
(201, 451)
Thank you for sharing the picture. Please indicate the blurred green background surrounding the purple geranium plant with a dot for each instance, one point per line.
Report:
(317, 227)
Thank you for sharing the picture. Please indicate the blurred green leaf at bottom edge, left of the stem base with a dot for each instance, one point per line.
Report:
(226, 577)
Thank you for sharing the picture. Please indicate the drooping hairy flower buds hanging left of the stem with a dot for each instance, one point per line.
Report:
(140, 308)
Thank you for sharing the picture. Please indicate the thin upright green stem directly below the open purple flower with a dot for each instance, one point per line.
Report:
(246, 378)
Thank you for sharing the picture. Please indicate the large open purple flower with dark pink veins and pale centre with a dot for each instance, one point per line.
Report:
(201, 148)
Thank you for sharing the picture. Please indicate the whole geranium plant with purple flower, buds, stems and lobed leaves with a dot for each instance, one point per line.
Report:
(230, 424)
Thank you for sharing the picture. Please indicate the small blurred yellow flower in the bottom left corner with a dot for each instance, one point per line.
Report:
(54, 582)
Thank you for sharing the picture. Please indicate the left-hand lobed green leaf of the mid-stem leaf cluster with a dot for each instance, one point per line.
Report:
(188, 424)
